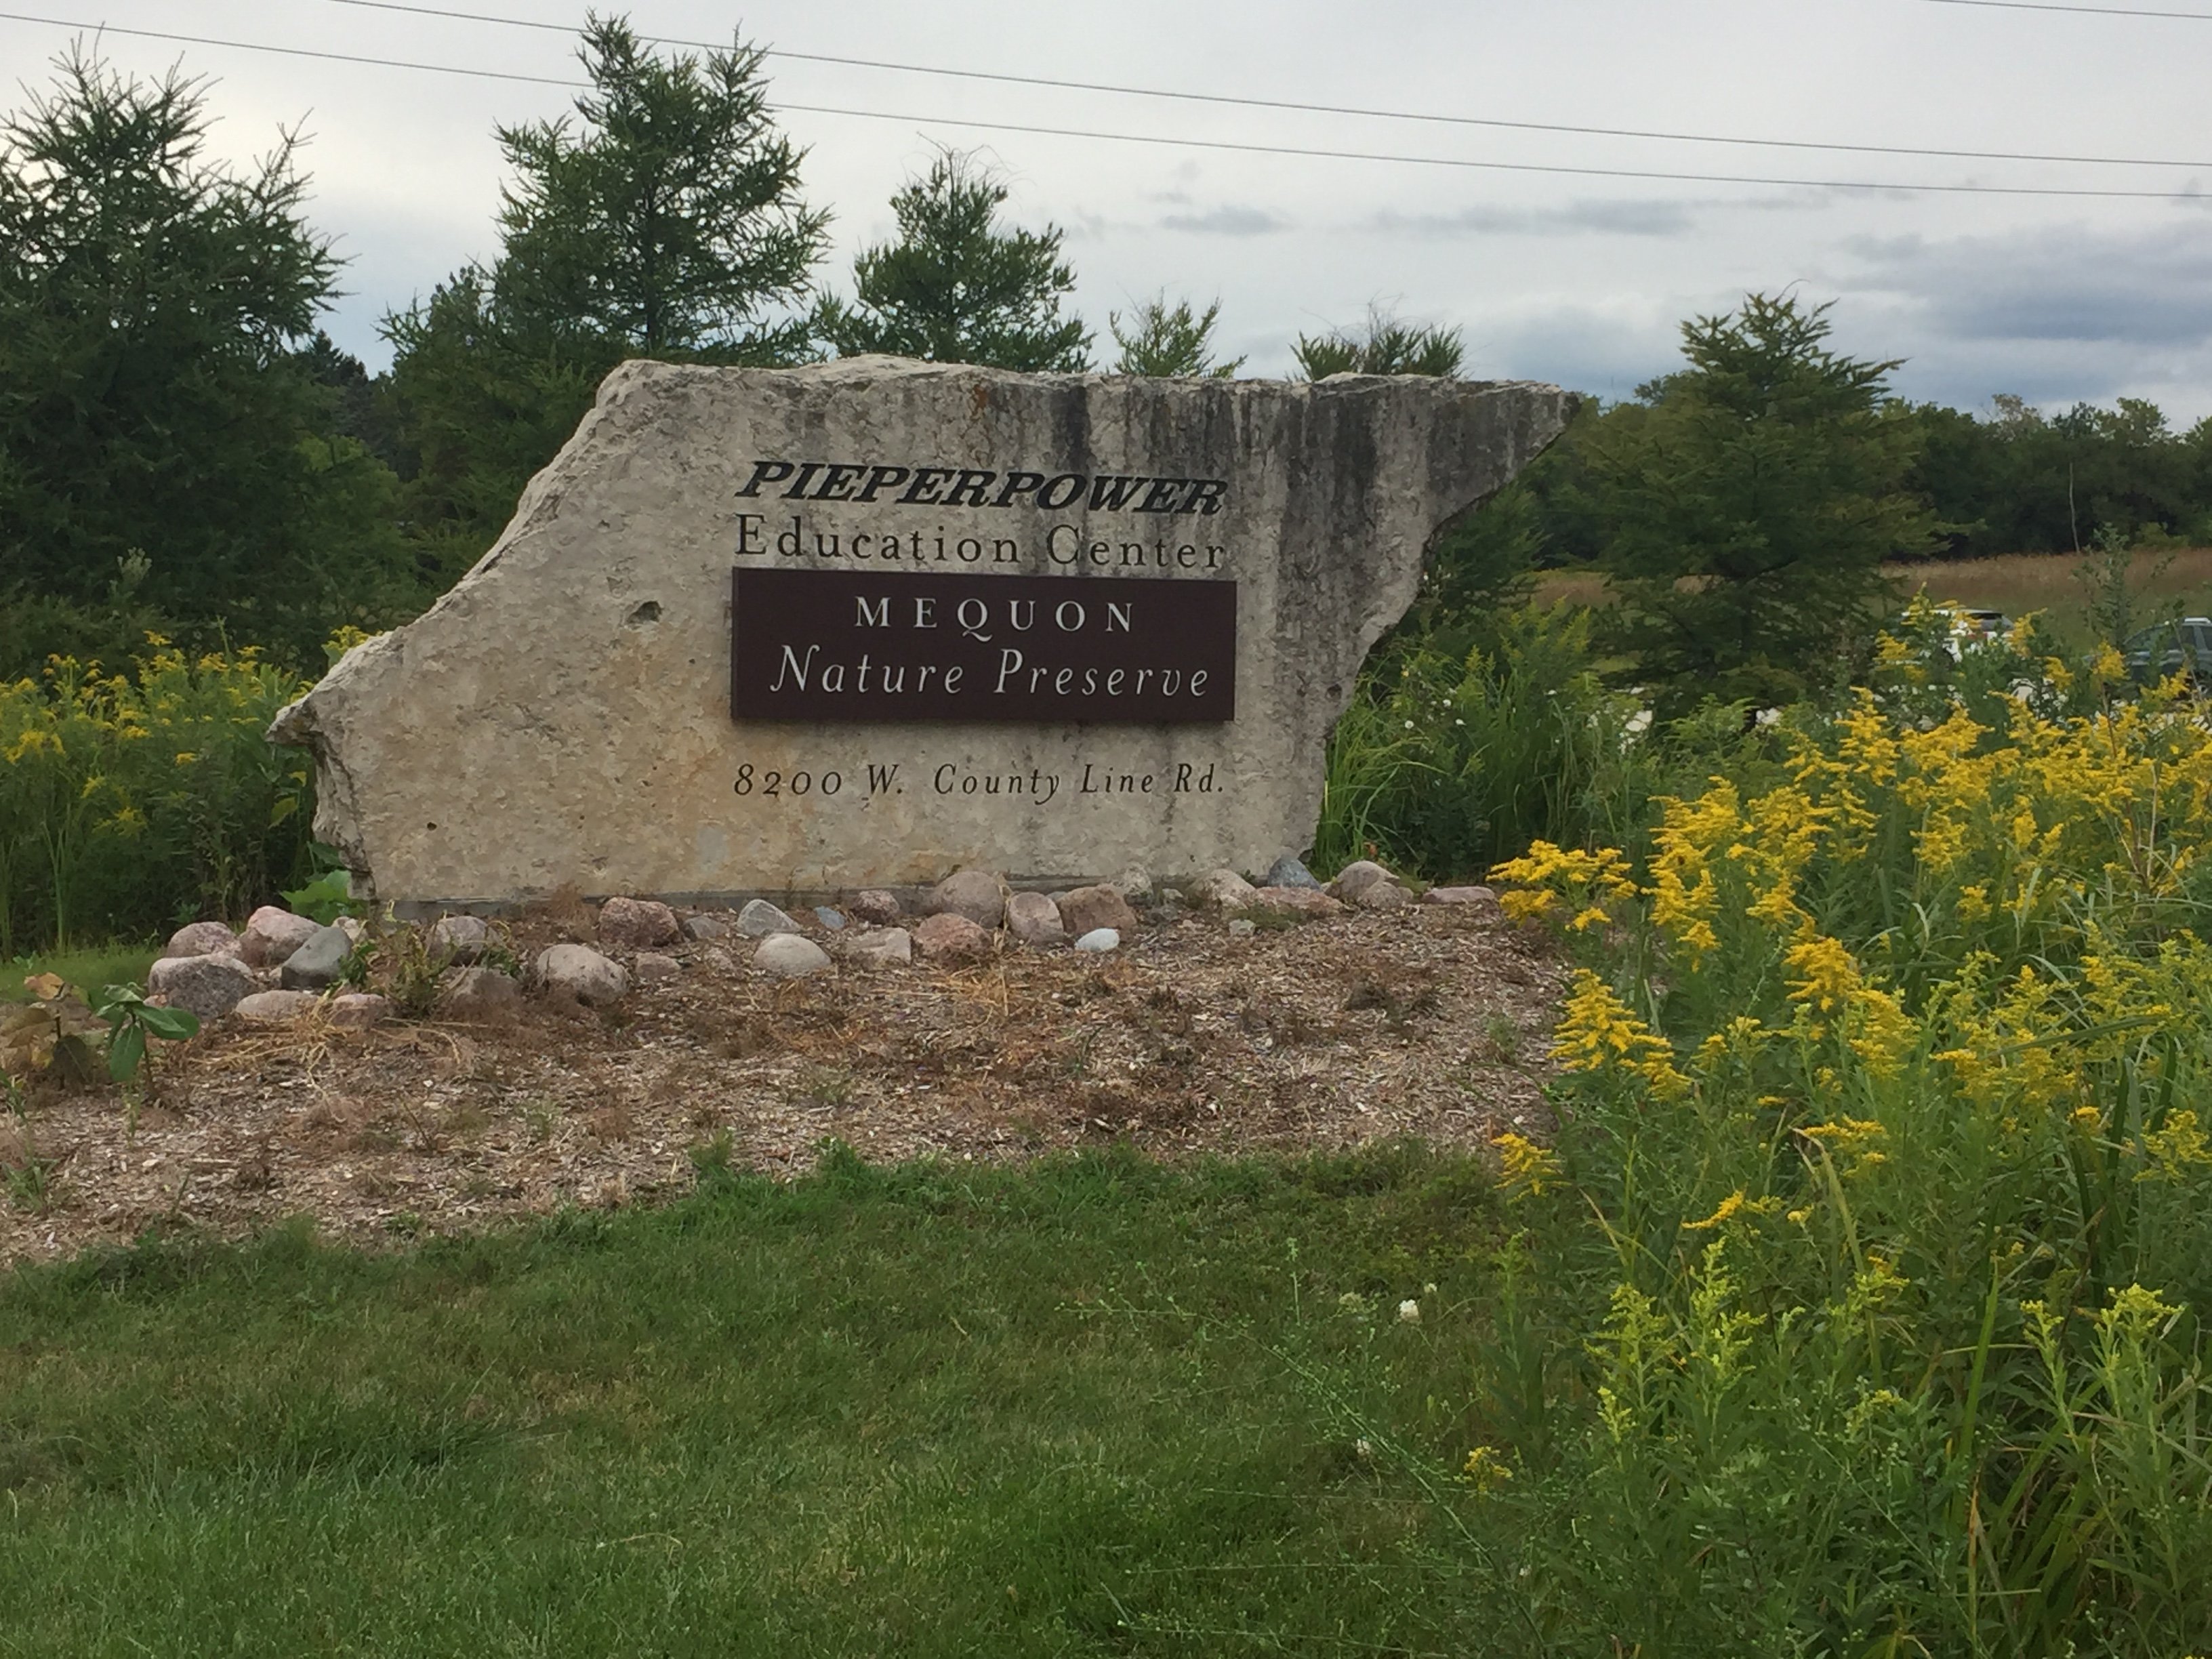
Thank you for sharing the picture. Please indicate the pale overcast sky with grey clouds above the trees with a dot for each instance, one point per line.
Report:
(1550, 275)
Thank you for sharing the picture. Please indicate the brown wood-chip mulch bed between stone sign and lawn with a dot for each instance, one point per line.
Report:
(1189, 1041)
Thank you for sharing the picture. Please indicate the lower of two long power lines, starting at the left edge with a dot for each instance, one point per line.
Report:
(1176, 143)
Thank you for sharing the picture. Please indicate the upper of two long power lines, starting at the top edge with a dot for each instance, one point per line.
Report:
(1293, 105)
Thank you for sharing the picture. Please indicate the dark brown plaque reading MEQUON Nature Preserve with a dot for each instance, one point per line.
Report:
(1043, 649)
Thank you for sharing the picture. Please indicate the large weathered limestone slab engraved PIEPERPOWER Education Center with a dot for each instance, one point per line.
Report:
(576, 685)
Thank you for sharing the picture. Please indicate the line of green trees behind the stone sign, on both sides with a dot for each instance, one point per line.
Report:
(182, 450)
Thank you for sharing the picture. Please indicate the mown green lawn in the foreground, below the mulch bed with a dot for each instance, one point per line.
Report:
(1087, 1408)
